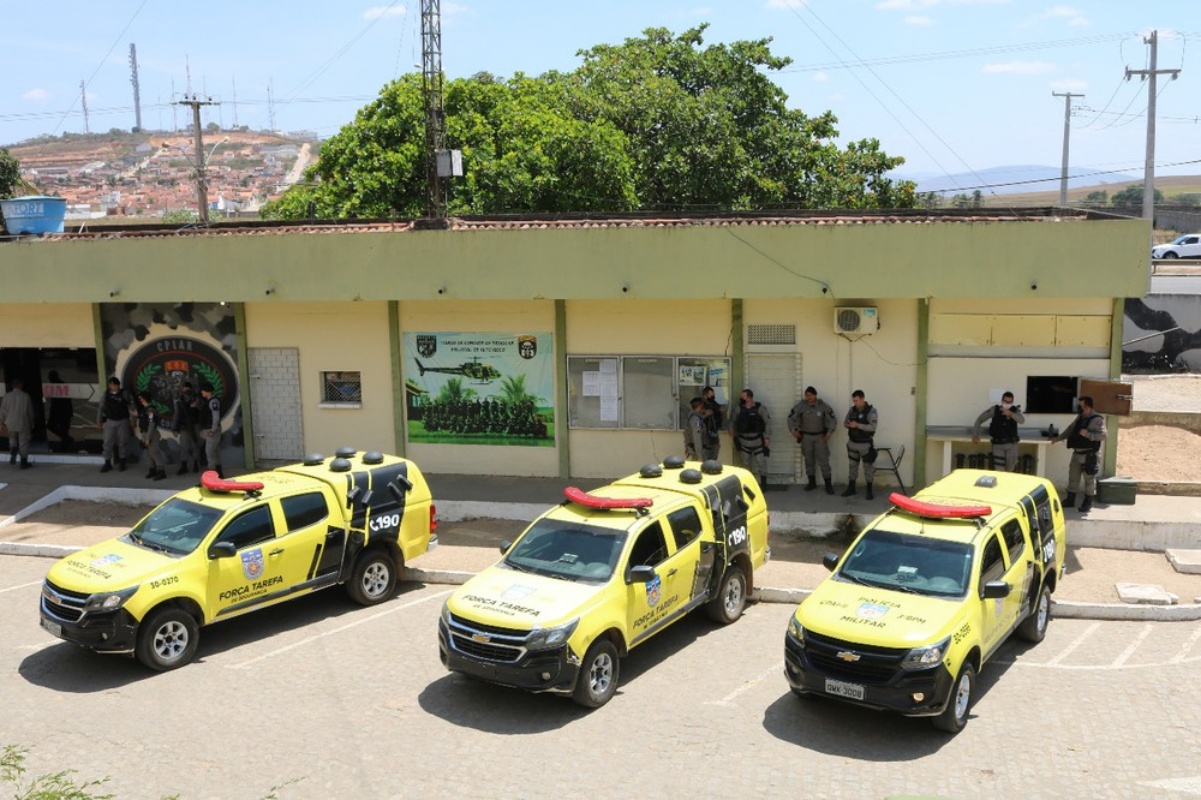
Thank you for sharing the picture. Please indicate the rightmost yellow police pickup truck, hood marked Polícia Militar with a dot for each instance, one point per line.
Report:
(928, 593)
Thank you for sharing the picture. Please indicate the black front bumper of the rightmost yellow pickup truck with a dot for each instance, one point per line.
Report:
(916, 694)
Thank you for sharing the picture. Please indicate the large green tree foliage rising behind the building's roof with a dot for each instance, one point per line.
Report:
(661, 122)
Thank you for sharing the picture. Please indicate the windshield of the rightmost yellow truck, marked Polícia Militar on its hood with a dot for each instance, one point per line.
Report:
(910, 564)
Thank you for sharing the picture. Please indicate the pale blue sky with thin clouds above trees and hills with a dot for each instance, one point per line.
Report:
(952, 86)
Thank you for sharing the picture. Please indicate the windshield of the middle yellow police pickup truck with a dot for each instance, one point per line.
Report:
(567, 550)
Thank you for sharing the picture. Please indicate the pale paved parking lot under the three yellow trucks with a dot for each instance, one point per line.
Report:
(326, 700)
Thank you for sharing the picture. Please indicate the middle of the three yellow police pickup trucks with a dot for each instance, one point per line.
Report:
(605, 572)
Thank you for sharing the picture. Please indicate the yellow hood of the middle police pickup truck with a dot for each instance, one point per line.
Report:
(519, 600)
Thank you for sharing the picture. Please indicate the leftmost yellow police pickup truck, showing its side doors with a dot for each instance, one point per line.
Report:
(230, 547)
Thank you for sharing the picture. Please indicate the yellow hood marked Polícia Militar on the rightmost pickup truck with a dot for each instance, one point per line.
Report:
(877, 617)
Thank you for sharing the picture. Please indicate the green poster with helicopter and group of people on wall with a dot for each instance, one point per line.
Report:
(481, 389)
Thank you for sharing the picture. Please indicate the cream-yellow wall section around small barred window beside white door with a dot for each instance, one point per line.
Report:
(334, 337)
